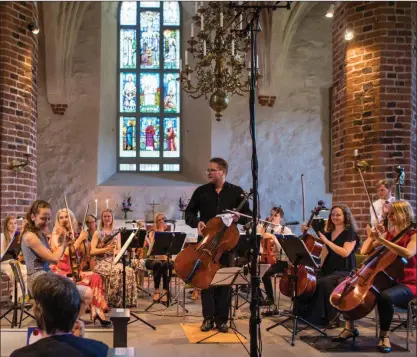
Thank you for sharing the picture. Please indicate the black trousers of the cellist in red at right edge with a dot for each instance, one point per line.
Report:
(399, 295)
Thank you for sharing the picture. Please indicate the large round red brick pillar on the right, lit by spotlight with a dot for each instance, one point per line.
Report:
(374, 99)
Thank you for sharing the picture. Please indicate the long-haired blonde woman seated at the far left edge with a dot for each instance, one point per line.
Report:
(9, 232)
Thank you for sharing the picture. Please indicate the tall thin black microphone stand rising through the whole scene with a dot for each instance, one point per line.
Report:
(252, 28)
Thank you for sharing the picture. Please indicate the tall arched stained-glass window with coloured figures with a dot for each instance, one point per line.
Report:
(149, 108)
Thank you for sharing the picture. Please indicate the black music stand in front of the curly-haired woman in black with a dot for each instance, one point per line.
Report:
(297, 254)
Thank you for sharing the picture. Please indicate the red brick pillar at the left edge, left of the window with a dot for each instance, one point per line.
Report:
(18, 104)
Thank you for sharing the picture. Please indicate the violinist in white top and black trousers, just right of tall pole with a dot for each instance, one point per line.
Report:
(280, 259)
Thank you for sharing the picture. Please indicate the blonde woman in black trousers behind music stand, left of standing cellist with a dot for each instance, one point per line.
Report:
(158, 263)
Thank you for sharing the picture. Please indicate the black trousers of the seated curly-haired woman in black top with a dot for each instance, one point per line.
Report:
(318, 309)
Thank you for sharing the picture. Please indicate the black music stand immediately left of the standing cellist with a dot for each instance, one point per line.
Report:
(169, 244)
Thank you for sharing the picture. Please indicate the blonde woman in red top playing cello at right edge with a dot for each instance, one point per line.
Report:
(400, 216)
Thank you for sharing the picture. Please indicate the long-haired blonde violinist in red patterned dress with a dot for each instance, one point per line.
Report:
(88, 278)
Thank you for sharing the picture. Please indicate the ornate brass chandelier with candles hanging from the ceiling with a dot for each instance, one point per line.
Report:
(219, 51)
